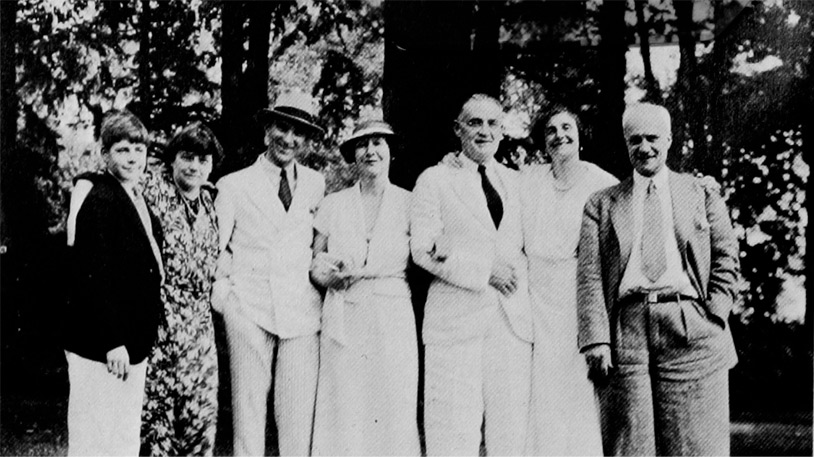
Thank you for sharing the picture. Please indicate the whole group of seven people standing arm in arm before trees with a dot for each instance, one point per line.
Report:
(556, 322)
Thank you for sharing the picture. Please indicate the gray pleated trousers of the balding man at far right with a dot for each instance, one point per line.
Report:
(670, 393)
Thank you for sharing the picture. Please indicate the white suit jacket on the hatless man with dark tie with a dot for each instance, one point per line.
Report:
(448, 203)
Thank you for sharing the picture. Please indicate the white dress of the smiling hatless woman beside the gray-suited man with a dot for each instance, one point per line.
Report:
(564, 417)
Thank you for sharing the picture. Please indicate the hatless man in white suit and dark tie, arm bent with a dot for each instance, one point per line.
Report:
(465, 227)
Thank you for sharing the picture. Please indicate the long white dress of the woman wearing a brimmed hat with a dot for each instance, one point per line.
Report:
(368, 375)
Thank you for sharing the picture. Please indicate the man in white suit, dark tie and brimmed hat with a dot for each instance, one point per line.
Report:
(265, 213)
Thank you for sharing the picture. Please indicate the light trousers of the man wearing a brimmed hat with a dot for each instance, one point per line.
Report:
(251, 355)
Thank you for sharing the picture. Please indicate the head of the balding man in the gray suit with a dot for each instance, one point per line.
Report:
(648, 137)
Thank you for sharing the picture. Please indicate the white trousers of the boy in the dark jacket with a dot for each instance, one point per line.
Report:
(104, 412)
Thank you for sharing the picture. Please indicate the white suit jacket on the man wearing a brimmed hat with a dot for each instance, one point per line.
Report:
(266, 251)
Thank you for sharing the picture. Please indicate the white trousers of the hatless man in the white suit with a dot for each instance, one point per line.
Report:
(484, 380)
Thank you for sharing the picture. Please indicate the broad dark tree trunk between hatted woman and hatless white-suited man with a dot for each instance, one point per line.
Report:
(427, 52)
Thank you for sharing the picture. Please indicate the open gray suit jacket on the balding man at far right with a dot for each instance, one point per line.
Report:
(706, 242)
